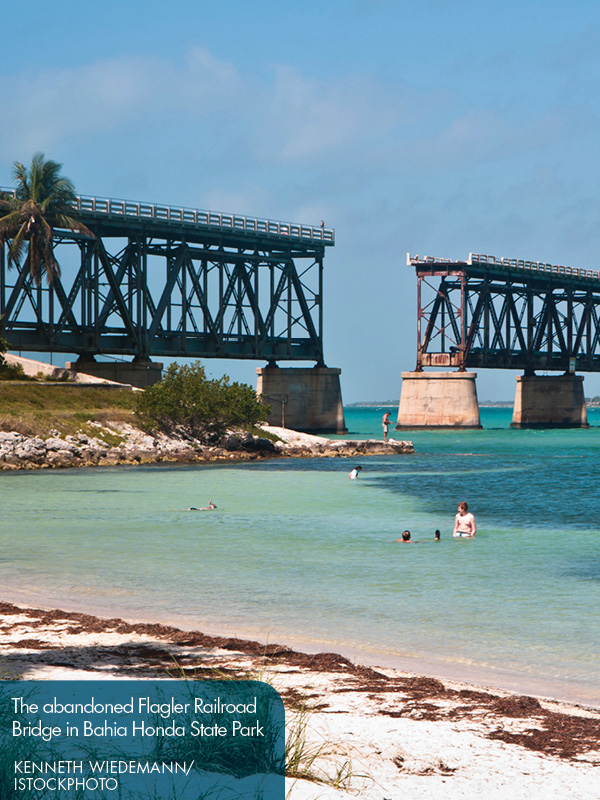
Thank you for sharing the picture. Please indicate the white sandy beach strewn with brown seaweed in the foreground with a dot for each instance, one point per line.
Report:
(370, 733)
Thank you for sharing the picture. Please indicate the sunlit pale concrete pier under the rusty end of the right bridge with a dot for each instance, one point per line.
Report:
(438, 400)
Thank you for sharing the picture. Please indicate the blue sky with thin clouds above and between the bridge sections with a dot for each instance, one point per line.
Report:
(429, 126)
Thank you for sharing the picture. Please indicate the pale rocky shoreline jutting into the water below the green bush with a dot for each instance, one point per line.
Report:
(124, 444)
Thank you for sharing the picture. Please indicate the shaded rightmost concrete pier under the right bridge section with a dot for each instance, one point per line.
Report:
(554, 401)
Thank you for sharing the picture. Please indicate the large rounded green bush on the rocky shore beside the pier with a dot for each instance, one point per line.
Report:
(185, 399)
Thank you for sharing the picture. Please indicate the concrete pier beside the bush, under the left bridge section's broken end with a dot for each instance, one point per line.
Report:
(303, 399)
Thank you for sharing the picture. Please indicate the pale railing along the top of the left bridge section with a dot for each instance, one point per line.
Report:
(200, 218)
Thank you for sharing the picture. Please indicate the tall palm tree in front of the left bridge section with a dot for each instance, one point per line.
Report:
(41, 203)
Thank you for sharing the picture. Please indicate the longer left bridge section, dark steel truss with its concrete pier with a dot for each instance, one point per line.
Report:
(158, 281)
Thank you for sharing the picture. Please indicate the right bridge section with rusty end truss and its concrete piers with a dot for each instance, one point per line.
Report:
(501, 313)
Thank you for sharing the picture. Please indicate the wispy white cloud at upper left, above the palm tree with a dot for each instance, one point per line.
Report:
(50, 106)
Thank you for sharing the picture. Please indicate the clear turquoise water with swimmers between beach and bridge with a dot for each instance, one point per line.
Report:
(297, 553)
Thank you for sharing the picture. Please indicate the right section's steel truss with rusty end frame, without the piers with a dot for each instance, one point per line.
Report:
(487, 312)
